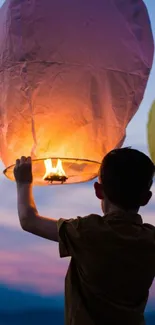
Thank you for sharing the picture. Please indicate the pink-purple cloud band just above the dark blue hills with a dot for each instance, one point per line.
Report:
(31, 270)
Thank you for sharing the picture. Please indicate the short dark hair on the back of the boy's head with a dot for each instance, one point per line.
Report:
(126, 175)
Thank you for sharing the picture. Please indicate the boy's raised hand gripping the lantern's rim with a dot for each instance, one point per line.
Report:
(23, 171)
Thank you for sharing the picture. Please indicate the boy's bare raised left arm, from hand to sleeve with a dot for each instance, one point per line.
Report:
(29, 217)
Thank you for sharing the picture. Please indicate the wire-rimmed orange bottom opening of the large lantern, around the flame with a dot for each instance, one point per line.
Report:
(76, 171)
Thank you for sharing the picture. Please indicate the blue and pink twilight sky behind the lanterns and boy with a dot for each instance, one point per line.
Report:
(34, 263)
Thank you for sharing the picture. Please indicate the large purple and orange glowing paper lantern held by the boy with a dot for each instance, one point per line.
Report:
(72, 76)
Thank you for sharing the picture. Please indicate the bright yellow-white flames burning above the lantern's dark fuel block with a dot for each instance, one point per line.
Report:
(53, 171)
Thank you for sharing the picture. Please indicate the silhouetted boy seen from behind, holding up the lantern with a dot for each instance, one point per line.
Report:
(113, 257)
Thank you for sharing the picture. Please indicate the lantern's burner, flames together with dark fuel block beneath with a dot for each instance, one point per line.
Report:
(54, 173)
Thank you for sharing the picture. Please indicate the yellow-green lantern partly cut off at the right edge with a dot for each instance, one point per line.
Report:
(151, 132)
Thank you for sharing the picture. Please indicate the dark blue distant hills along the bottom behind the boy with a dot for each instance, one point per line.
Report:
(23, 307)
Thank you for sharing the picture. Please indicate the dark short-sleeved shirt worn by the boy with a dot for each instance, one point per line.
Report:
(111, 269)
